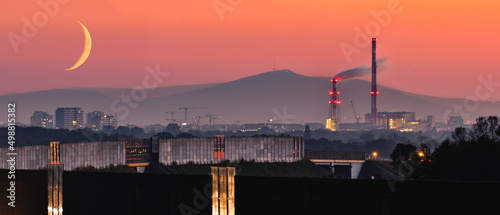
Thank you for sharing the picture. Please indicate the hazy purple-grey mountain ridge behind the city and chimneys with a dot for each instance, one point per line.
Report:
(282, 95)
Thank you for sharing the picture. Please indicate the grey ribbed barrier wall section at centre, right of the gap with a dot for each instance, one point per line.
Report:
(260, 149)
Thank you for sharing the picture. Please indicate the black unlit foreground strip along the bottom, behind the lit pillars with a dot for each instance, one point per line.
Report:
(131, 193)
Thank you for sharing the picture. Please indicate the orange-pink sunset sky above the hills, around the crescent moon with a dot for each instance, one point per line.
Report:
(437, 48)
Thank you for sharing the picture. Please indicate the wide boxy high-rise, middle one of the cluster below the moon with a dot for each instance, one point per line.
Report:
(69, 118)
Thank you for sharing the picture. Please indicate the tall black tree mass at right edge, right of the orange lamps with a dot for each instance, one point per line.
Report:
(468, 156)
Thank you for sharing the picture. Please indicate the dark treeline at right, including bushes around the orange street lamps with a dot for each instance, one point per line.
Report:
(469, 155)
